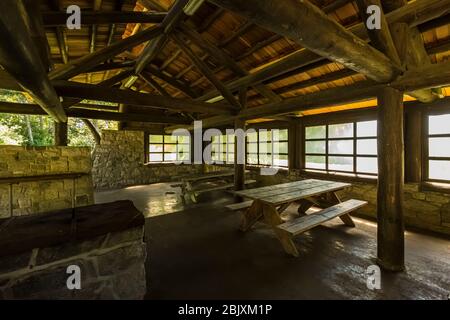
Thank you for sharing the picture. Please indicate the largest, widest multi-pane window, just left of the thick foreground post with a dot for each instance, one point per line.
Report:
(346, 148)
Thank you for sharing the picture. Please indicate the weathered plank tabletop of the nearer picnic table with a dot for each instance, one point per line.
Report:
(292, 191)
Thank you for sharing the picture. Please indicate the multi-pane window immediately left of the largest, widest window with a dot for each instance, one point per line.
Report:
(268, 148)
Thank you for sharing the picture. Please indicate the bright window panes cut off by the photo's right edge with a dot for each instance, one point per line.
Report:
(438, 157)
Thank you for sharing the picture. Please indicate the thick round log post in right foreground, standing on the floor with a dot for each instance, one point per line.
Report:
(391, 245)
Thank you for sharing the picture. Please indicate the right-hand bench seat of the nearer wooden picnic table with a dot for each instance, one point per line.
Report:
(305, 223)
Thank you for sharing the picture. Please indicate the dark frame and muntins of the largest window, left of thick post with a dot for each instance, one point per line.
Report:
(355, 174)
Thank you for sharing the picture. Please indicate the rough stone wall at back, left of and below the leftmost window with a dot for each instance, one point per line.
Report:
(119, 162)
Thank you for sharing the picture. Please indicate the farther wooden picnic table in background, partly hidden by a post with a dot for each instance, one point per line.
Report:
(194, 185)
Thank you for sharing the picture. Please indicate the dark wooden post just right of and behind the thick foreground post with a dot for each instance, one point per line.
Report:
(413, 146)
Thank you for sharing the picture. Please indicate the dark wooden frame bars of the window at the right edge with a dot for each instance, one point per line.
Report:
(425, 145)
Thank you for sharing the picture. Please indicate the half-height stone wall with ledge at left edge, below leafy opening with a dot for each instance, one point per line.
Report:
(41, 196)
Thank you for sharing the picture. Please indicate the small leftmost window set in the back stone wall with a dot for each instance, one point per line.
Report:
(168, 149)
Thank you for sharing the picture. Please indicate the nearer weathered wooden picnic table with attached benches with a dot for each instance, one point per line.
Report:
(267, 204)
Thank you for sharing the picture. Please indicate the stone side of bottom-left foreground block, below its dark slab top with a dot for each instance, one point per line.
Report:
(111, 265)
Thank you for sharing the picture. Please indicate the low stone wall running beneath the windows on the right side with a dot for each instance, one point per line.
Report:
(424, 210)
